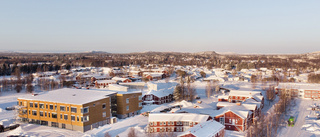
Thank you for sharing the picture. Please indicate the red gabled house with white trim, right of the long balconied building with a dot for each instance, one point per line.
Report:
(233, 119)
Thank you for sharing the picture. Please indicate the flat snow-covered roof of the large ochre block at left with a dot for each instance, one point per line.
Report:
(70, 96)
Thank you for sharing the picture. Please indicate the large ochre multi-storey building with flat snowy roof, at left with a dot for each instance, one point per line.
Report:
(73, 109)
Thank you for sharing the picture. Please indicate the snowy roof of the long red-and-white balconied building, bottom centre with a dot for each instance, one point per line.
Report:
(178, 117)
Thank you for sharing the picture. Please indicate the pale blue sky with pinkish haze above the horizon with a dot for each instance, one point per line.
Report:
(241, 26)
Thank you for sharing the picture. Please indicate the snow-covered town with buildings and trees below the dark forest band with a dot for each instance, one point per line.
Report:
(166, 100)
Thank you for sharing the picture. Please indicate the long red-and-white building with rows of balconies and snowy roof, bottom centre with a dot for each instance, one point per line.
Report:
(174, 122)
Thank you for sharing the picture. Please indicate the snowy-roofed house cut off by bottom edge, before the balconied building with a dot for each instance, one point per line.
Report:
(209, 128)
